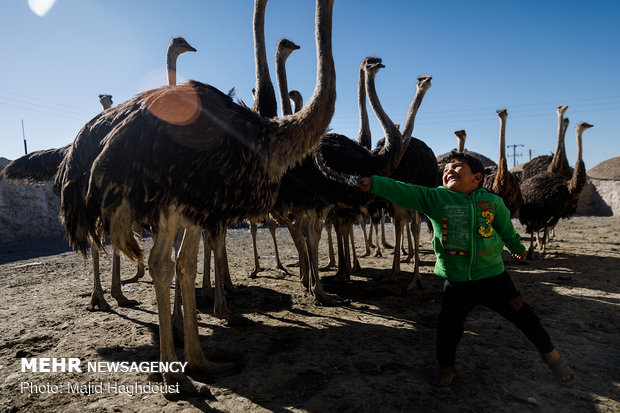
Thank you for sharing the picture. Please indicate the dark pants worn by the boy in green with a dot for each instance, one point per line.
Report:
(497, 293)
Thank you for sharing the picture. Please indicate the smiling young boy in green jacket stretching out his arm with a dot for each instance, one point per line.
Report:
(471, 226)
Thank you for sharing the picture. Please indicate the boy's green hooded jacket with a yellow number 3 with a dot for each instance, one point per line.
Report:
(470, 231)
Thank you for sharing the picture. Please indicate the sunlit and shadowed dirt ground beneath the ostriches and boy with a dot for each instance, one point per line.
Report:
(371, 355)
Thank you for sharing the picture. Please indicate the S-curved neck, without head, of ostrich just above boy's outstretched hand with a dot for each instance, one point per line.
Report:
(392, 151)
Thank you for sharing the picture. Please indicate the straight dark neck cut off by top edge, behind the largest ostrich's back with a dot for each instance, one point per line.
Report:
(265, 99)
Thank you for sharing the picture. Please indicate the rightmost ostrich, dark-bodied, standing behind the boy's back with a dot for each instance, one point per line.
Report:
(549, 196)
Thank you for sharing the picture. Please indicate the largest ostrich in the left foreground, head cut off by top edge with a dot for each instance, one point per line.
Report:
(188, 155)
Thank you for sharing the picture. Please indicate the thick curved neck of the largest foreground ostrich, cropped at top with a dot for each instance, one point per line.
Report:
(299, 133)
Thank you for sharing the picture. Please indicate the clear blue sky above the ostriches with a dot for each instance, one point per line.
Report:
(525, 56)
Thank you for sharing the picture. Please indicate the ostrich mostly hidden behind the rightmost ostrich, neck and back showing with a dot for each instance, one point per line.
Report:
(557, 163)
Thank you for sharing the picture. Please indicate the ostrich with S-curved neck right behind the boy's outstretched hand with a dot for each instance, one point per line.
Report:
(309, 193)
